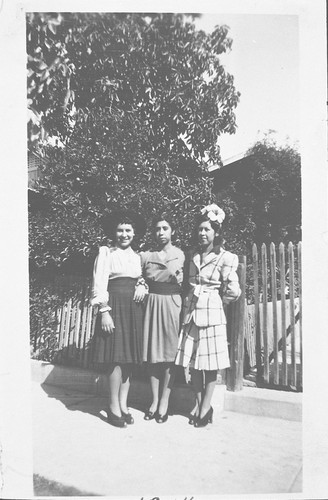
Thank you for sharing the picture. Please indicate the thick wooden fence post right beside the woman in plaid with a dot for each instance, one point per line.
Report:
(235, 318)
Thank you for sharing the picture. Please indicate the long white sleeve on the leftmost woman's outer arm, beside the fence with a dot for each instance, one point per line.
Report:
(100, 277)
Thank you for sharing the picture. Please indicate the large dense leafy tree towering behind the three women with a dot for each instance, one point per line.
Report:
(137, 100)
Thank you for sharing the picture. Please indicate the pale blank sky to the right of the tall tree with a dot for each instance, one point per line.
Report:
(264, 61)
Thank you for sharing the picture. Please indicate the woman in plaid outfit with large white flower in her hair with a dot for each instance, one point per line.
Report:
(203, 339)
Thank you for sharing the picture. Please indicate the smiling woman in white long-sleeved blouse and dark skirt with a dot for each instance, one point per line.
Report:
(118, 291)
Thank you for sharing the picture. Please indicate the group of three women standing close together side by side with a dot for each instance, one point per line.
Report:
(122, 338)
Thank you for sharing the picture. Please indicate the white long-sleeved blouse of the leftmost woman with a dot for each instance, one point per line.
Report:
(112, 263)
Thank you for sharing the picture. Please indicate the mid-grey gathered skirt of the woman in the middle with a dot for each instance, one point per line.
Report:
(161, 328)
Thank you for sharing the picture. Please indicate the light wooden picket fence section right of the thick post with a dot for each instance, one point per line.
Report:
(273, 326)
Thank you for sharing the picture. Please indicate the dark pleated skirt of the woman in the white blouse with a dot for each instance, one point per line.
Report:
(124, 345)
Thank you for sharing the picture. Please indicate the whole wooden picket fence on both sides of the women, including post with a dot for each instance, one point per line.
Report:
(269, 329)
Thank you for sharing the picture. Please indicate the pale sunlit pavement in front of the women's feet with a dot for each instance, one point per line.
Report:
(237, 454)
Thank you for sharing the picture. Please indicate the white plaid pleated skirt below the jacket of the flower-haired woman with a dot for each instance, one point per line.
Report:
(203, 348)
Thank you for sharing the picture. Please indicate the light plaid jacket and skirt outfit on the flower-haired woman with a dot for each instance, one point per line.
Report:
(203, 339)
